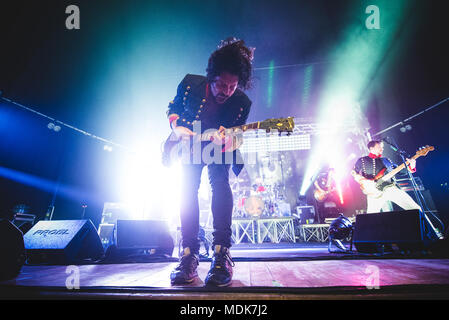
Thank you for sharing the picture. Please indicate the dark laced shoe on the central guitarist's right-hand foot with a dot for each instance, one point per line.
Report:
(220, 273)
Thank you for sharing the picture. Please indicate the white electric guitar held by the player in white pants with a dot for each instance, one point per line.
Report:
(375, 186)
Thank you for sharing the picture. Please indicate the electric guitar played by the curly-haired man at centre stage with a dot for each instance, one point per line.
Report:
(171, 149)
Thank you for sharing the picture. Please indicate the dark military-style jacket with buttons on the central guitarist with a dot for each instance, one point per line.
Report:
(190, 104)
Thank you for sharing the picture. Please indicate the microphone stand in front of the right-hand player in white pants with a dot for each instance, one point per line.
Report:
(418, 195)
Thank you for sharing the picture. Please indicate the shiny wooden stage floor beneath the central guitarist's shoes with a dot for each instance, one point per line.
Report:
(275, 272)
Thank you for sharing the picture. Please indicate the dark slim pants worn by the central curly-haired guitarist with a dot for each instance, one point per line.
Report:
(222, 204)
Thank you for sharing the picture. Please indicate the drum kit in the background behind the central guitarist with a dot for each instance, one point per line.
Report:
(259, 200)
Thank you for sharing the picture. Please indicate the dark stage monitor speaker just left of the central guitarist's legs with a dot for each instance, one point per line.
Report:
(144, 234)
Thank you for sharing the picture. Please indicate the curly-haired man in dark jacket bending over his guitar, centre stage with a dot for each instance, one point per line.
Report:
(218, 101)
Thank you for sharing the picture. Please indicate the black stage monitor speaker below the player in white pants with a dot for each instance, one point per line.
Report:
(404, 229)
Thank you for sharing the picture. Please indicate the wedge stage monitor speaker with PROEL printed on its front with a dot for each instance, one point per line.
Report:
(62, 242)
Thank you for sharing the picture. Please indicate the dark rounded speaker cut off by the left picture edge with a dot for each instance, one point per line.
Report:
(12, 250)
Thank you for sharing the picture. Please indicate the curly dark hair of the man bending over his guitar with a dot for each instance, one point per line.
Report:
(234, 57)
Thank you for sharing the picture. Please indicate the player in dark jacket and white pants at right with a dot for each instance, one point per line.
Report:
(368, 167)
